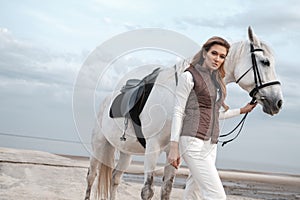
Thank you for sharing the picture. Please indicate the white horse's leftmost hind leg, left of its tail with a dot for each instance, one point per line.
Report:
(91, 175)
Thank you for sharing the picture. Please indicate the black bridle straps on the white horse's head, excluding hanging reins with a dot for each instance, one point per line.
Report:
(257, 78)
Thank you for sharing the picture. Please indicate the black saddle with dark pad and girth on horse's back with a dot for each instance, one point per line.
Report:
(131, 101)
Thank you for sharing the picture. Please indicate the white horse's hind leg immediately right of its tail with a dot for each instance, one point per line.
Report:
(123, 163)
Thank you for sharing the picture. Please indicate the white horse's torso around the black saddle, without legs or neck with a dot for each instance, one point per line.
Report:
(155, 117)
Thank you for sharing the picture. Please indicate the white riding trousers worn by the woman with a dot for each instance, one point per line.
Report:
(203, 182)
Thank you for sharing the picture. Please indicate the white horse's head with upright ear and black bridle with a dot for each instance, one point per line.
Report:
(254, 71)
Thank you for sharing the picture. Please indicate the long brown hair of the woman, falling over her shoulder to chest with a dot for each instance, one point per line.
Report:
(220, 73)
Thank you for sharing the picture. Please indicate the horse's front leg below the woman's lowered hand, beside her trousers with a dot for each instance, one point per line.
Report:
(168, 179)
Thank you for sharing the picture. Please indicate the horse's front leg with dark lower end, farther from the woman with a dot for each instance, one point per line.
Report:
(151, 155)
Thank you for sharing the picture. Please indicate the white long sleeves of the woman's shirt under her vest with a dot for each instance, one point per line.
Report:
(183, 90)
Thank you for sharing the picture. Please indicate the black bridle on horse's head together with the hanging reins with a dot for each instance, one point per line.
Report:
(258, 85)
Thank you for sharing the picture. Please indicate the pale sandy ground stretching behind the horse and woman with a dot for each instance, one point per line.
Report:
(36, 175)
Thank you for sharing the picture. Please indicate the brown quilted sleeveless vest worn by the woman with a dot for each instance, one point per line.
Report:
(202, 108)
